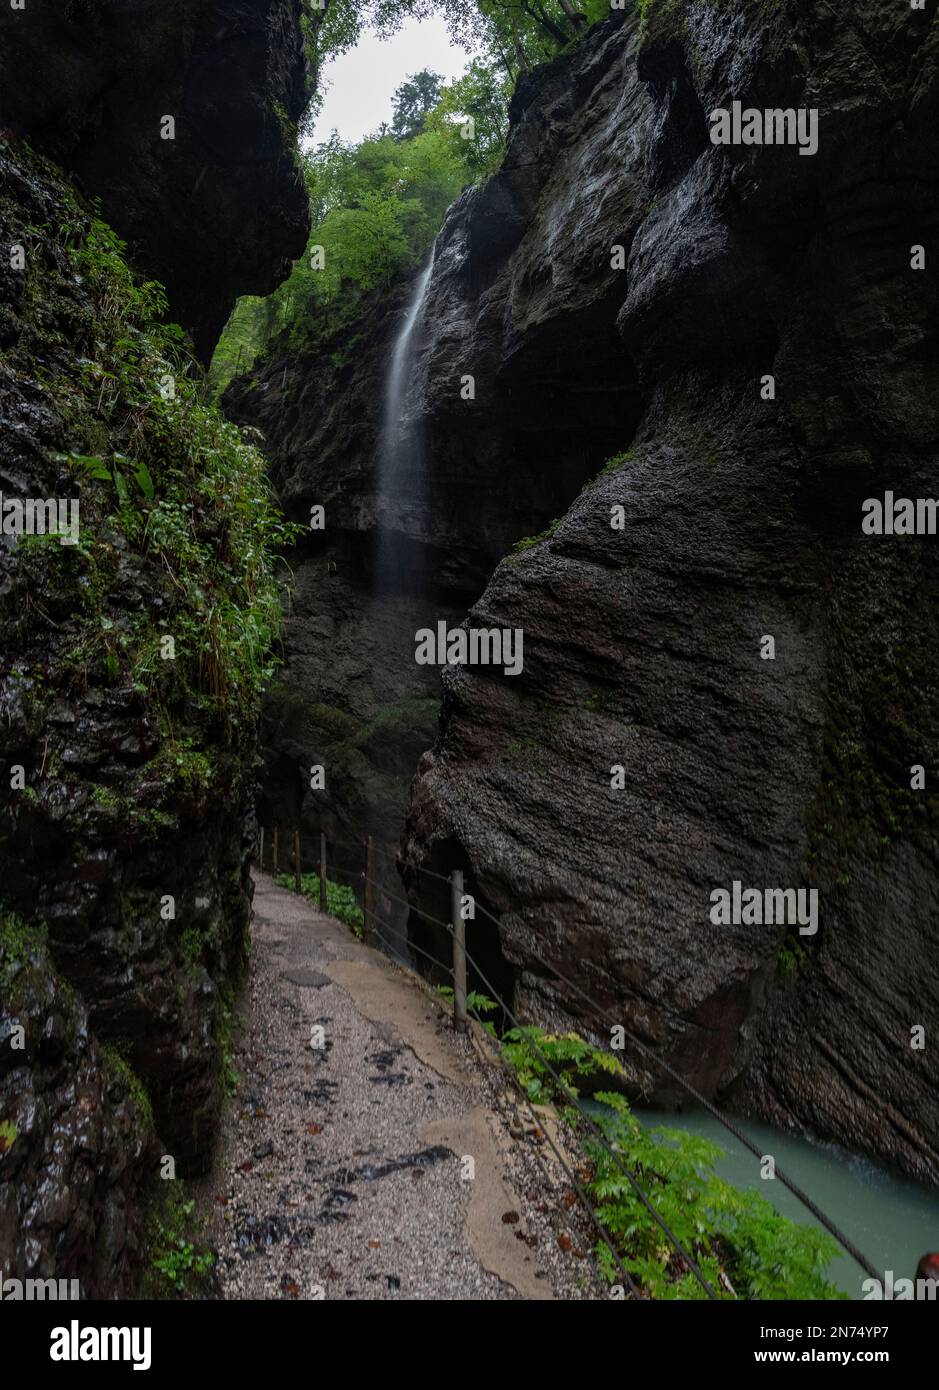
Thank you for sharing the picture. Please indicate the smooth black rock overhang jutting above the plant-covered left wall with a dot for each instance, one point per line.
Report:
(216, 212)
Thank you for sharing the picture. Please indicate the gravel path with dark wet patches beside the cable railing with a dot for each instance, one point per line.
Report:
(344, 1168)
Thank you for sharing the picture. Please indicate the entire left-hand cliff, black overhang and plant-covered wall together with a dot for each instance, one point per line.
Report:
(127, 814)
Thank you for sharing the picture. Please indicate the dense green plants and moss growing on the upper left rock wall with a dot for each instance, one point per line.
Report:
(162, 476)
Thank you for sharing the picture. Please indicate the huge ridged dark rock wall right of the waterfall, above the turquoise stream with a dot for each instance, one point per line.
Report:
(741, 521)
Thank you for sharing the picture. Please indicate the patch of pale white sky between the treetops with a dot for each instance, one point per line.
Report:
(360, 84)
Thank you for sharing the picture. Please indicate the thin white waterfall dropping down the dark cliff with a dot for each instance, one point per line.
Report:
(402, 483)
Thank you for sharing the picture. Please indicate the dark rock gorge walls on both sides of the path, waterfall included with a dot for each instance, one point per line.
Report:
(726, 348)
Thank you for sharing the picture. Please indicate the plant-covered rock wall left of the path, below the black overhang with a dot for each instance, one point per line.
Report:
(130, 682)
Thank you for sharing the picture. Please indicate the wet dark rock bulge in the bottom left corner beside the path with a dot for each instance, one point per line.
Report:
(84, 1146)
